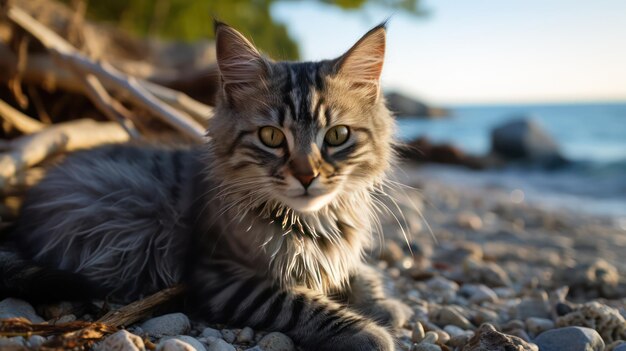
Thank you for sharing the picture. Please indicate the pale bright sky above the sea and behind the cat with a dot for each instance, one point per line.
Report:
(474, 52)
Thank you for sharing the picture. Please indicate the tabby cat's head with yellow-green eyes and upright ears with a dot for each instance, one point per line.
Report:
(299, 134)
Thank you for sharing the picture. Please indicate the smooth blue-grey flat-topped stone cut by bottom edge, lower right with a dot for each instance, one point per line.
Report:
(571, 339)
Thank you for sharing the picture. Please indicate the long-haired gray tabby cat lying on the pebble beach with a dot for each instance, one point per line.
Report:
(266, 224)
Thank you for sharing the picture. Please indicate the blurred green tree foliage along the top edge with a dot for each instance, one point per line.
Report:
(193, 19)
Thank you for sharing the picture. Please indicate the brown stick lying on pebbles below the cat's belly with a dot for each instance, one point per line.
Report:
(140, 309)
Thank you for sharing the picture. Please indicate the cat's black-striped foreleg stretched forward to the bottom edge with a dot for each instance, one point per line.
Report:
(312, 320)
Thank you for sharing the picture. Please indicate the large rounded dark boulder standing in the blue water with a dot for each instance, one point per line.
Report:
(523, 139)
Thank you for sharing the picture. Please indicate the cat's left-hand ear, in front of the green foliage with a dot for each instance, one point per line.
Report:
(242, 67)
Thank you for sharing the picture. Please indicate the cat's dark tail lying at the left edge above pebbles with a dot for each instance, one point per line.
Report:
(25, 279)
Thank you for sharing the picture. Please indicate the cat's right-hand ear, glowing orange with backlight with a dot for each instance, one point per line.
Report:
(362, 65)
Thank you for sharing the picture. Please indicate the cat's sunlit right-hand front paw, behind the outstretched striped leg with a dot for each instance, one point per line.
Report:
(367, 296)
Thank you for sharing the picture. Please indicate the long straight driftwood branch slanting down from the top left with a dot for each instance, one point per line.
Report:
(117, 80)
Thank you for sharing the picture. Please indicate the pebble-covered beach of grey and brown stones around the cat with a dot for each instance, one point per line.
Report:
(481, 269)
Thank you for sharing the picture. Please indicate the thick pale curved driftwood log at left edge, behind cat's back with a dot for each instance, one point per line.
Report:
(31, 149)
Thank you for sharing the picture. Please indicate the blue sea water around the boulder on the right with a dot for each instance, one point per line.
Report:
(593, 136)
